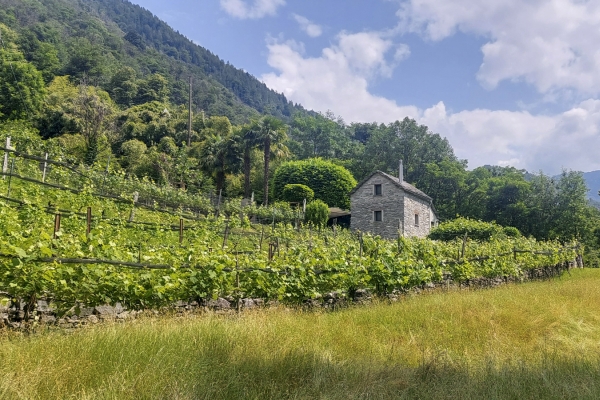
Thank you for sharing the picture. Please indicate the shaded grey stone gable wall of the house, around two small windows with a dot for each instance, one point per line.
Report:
(364, 202)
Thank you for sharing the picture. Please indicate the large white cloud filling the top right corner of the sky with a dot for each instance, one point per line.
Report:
(552, 44)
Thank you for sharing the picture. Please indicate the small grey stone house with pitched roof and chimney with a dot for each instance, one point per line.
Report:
(385, 205)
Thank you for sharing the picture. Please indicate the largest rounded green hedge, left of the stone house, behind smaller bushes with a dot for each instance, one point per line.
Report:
(331, 183)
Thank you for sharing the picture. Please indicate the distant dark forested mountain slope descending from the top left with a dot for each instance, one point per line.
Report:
(99, 37)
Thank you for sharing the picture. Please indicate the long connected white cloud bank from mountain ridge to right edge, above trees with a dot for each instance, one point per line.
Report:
(338, 80)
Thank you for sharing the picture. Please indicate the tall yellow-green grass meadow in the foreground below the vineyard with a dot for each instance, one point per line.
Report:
(522, 341)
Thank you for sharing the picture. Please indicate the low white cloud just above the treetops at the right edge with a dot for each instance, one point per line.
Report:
(521, 139)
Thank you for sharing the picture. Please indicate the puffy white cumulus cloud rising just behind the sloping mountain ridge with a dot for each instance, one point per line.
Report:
(339, 78)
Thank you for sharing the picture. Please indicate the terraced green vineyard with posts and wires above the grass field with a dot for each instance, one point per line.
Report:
(82, 247)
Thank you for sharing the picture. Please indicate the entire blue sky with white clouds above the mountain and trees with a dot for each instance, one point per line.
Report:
(508, 82)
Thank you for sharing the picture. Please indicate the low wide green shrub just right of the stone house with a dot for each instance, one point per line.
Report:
(456, 228)
